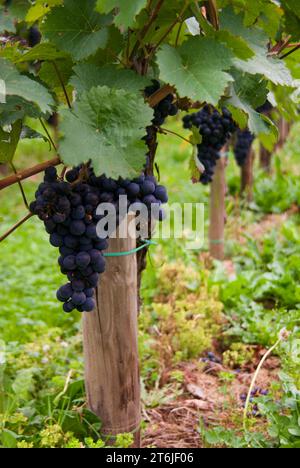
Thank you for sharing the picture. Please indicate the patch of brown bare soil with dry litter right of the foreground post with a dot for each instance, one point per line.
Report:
(205, 397)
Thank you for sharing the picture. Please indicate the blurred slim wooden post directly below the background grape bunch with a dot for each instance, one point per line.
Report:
(218, 211)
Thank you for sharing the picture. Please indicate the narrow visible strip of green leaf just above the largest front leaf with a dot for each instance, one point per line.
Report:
(88, 76)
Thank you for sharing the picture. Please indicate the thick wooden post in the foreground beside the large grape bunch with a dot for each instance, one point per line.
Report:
(110, 346)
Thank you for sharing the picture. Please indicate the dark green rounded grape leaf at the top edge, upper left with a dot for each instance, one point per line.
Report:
(76, 28)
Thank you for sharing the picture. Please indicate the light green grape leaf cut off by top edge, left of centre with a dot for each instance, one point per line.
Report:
(126, 11)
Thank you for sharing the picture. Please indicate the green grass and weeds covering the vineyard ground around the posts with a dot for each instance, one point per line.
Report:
(192, 307)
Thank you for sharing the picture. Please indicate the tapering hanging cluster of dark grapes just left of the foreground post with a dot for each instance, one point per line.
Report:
(69, 216)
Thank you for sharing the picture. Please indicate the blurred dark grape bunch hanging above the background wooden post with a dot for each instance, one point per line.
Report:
(216, 129)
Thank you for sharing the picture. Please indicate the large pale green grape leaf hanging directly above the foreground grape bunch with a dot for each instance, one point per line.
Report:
(106, 127)
